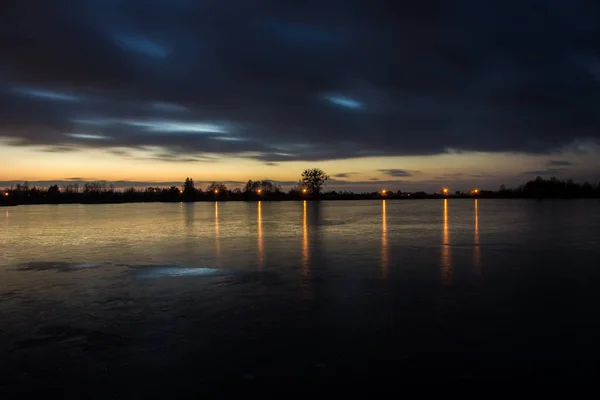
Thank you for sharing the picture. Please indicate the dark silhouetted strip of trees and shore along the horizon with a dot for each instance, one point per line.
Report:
(310, 187)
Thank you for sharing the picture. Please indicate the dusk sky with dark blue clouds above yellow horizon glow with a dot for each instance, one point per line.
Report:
(401, 95)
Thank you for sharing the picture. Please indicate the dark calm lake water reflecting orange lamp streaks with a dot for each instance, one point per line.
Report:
(110, 301)
